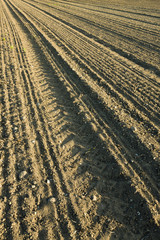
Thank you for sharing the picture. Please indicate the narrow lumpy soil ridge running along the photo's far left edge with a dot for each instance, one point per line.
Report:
(8, 167)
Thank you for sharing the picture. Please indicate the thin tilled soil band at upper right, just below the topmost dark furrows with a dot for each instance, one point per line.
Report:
(101, 21)
